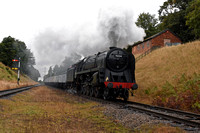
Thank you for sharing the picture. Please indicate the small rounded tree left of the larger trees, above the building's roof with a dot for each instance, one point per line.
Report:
(148, 22)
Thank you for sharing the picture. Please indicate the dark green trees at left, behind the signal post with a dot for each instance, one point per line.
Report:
(11, 48)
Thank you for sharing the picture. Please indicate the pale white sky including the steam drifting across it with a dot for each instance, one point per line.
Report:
(55, 29)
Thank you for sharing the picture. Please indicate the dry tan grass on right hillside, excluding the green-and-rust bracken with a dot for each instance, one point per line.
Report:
(166, 64)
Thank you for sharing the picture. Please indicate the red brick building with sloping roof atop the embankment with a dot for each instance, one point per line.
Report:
(161, 39)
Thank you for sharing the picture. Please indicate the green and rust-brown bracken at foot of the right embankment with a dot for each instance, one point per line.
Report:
(185, 94)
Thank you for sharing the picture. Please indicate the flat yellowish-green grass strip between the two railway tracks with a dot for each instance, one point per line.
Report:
(50, 110)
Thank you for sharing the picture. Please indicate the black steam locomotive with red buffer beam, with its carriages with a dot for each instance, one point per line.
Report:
(109, 74)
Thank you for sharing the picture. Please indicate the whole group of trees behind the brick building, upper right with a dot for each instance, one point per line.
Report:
(180, 16)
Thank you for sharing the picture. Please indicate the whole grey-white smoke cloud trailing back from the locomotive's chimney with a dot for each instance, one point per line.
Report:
(113, 27)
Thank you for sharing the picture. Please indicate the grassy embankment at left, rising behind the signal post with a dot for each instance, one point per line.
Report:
(8, 78)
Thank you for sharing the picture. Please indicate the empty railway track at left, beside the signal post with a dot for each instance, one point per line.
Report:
(16, 90)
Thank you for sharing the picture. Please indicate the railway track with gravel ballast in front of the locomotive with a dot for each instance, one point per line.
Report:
(186, 120)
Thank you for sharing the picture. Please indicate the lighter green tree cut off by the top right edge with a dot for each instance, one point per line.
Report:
(193, 17)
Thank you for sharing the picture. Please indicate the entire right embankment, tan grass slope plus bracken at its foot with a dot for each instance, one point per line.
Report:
(170, 77)
